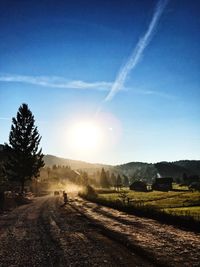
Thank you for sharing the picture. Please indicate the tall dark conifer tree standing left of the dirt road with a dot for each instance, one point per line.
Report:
(25, 160)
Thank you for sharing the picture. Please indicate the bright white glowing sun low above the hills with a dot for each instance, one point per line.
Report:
(85, 136)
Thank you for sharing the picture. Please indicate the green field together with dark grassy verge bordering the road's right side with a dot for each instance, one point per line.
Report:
(179, 208)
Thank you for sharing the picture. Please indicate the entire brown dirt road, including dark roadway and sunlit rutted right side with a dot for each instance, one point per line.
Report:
(84, 234)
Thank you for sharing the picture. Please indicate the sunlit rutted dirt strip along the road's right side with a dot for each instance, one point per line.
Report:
(161, 244)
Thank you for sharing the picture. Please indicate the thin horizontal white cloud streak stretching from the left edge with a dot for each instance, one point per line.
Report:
(56, 82)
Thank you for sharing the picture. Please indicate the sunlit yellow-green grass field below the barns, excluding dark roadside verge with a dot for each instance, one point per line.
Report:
(184, 203)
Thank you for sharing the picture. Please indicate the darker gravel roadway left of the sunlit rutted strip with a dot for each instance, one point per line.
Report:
(45, 234)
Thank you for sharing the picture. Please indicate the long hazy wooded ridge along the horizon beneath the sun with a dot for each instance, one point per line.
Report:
(134, 170)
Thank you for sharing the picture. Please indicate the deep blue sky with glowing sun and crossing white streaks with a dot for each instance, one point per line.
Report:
(126, 70)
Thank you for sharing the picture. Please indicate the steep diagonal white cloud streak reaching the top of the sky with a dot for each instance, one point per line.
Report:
(137, 51)
